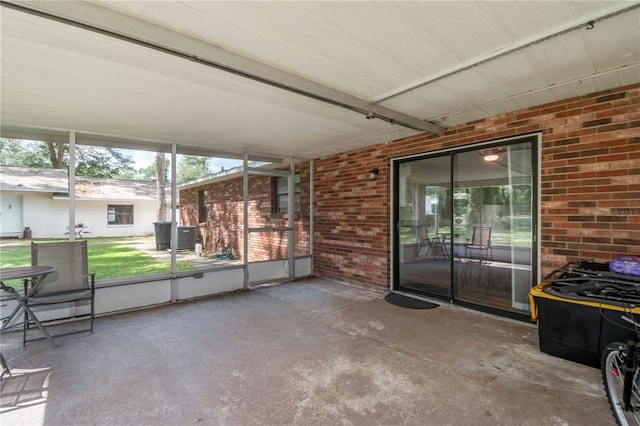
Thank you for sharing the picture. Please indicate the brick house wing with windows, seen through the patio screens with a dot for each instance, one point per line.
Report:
(215, 207)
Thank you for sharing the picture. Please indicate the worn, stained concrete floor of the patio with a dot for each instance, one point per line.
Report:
(308, 352)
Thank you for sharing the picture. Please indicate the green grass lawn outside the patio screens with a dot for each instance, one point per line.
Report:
(108, 259)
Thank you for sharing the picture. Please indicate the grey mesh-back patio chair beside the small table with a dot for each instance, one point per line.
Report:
(71, 284)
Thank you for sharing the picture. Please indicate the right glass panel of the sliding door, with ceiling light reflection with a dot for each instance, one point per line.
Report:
(493, 226)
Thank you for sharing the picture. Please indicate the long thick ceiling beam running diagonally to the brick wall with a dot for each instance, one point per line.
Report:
(102, 20)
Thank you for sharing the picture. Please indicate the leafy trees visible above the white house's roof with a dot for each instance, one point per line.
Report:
(92, 161)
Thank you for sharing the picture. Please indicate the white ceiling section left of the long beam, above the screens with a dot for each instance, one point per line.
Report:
(63, 77)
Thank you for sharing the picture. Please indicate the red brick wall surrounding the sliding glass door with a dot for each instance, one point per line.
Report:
(590, 188)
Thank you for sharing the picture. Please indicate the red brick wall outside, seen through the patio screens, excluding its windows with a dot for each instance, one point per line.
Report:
(224, 225)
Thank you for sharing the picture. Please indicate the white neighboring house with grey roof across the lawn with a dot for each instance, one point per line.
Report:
(39, 199)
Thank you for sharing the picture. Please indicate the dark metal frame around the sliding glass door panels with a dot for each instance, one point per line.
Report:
(535, 140)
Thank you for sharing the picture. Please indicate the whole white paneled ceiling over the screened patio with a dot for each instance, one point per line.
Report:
(440, 63)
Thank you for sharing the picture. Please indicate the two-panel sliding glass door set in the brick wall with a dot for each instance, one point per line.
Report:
(465, 225)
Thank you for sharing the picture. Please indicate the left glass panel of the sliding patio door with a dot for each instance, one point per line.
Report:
(424, 225)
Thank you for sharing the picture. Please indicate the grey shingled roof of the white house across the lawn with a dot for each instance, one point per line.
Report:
(27, 179)
